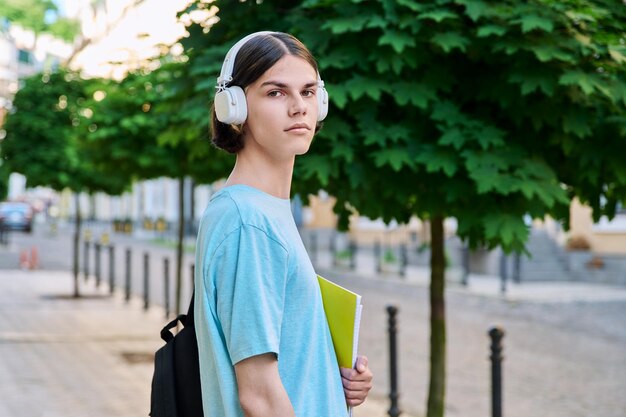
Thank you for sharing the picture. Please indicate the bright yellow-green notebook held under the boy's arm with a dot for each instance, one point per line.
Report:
(343, 313)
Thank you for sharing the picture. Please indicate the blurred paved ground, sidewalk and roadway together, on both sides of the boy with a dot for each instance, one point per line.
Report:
(563, 347)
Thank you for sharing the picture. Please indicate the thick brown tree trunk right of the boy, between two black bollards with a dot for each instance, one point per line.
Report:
(437, 388)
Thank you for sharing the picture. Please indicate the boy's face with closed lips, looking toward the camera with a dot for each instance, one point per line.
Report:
(282, 110)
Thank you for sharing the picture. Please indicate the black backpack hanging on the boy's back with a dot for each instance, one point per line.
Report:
(176, 380)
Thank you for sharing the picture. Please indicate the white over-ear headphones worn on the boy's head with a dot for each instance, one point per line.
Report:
(230, 102)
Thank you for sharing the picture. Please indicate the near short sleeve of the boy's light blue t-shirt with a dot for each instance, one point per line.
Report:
(250, 275)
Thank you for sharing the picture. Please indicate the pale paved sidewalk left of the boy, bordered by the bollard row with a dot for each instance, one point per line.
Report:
(92, 357)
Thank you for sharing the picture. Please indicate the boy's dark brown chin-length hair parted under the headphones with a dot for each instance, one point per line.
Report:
(254, 58)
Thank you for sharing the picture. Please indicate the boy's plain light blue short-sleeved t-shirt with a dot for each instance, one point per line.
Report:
(257, 292)
